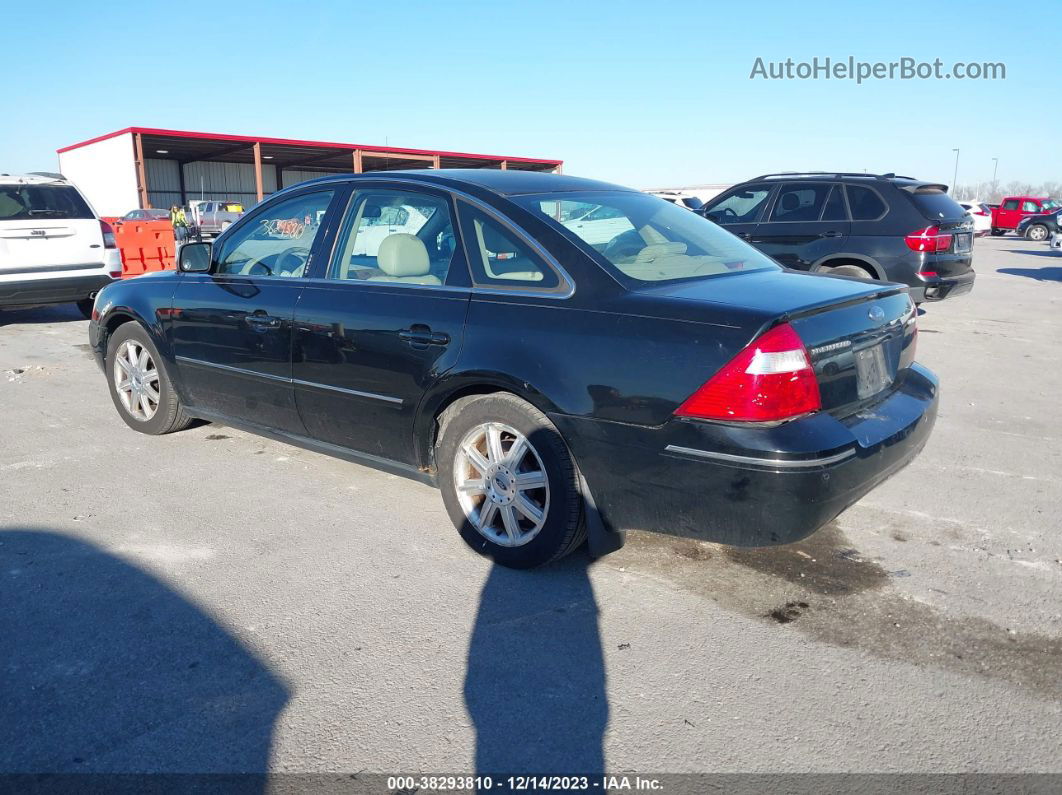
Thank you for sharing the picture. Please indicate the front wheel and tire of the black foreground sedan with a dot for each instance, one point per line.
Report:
(142, 389)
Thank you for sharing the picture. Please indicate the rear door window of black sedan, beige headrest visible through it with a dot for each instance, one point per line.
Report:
(396, 236)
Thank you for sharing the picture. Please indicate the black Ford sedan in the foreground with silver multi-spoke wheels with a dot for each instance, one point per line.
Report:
(561, 357)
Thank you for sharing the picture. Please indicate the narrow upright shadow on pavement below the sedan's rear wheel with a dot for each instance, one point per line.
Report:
(536, 683)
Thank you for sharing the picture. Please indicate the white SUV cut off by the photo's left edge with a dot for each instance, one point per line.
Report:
(54, 247)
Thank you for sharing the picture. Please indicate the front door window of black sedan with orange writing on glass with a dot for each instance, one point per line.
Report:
(277, 241)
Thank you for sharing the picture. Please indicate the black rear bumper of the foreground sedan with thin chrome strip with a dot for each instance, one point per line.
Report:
(750, 487)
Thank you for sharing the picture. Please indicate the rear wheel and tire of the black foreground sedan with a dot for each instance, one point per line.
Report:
(509, 482)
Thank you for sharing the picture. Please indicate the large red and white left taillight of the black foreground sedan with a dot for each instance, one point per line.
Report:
(770, 381)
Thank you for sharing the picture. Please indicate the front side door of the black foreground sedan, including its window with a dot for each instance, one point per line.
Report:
(231, 329)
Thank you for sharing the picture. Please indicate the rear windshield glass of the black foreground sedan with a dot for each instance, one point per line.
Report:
(645, 238)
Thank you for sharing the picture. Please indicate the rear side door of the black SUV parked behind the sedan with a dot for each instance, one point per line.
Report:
(808, 223)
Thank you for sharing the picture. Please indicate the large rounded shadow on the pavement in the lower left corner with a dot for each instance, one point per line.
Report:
(108, 669)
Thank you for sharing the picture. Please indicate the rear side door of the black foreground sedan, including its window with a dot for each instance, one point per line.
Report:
(381, 322)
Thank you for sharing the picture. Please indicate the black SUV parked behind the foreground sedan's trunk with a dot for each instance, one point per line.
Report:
(879, 227)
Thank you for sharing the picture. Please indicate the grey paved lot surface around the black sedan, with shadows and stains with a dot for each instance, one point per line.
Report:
(214, 601)
